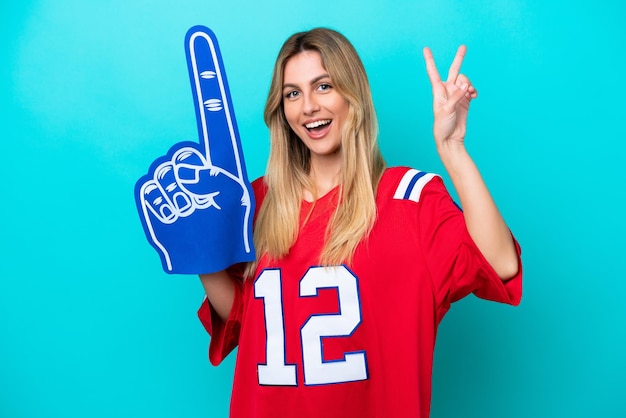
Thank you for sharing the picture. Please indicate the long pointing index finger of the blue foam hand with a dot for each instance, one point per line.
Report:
(215, 118)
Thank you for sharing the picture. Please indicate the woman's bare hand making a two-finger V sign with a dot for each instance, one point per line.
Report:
(451, 99)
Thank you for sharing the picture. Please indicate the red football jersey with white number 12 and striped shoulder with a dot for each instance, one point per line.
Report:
(355, 340)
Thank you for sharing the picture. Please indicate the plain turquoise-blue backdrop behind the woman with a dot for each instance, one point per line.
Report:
(93, 92)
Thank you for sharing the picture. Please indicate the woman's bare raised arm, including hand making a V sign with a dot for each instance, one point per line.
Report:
(484, 222)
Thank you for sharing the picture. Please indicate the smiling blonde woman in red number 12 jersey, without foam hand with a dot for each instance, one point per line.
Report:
(356, 264)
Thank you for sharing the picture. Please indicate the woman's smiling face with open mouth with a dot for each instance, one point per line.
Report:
(314, 109)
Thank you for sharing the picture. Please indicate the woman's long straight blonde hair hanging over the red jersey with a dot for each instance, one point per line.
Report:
(287, 174)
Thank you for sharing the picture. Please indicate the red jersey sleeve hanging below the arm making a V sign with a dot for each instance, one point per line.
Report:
(456, 265)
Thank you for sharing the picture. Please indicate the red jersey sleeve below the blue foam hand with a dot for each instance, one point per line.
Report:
(224, 335)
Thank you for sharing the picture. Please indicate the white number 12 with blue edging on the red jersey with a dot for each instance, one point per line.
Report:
(353, 367)
